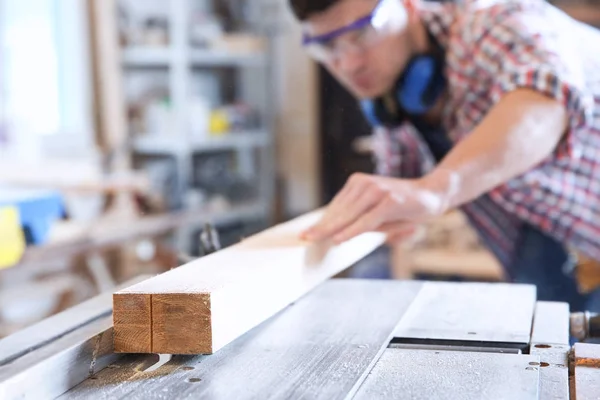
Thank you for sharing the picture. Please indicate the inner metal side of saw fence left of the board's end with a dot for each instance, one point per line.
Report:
(54, 369)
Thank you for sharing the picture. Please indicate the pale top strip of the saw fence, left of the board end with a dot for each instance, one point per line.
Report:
(44, 332)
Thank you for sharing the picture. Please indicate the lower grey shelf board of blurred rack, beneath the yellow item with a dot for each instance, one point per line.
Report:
(181, 145)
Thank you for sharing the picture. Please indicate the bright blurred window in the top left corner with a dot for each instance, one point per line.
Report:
(45, 81)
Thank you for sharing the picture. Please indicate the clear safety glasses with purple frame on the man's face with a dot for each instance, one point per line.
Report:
(388, 17)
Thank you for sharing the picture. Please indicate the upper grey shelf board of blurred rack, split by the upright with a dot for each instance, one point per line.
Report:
(161, 57)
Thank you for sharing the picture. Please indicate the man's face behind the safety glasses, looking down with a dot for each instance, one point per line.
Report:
(367, 71)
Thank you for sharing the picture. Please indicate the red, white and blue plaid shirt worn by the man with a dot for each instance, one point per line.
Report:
(492, 47)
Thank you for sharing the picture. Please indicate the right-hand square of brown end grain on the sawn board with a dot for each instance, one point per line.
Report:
(182, 323)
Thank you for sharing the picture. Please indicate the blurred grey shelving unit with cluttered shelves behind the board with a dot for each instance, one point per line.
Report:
(177, 69)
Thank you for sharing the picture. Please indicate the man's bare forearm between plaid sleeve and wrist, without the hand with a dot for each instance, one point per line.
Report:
(519, 132)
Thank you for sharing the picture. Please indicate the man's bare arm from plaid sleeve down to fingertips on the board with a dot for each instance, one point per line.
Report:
(522, 129)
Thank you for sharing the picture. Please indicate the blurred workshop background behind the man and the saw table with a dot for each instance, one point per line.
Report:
(127, 125)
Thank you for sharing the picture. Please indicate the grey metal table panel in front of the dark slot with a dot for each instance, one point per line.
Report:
(428, 374)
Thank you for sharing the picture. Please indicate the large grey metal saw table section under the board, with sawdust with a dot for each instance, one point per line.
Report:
(321, 347)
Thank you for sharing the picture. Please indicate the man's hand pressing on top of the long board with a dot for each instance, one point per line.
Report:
(370, 203)
